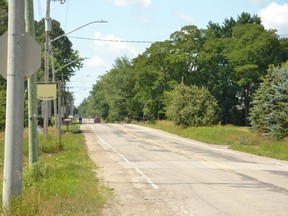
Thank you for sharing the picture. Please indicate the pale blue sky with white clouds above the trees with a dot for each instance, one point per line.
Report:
(134, 24)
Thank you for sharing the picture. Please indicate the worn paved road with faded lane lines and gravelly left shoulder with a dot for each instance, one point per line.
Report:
(157, 173)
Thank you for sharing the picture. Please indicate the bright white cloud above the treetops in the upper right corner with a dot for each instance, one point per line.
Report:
(275, 16)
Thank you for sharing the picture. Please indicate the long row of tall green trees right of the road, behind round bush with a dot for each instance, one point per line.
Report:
(229, 60)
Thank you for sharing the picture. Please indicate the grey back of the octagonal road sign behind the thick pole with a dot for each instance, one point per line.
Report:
(32, 55)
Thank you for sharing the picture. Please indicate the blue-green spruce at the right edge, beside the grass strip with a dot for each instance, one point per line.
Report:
(270, 104)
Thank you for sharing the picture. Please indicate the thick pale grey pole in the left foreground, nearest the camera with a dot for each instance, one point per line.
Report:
(13, 154)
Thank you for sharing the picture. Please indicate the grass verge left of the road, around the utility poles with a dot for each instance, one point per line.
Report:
(63, 182)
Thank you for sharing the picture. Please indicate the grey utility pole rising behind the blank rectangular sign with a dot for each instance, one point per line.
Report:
(46, 72)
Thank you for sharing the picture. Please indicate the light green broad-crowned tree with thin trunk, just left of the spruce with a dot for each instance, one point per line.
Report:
(252, 49)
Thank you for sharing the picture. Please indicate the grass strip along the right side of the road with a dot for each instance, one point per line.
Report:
(237, 138)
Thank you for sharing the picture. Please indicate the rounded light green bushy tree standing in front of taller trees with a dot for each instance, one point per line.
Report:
(191, 106)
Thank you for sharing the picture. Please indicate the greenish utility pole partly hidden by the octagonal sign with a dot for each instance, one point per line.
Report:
(32, 91)
